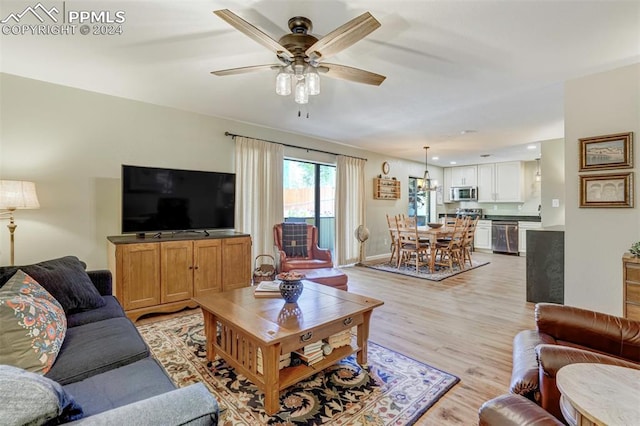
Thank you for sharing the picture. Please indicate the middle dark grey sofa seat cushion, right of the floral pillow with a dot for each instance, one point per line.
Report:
(97, 347)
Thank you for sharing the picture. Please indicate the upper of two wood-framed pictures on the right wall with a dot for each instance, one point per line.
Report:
(606, 152)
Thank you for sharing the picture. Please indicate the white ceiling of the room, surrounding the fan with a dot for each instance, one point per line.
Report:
(494, 67)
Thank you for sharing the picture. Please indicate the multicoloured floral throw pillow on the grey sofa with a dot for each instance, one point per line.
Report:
(33, 325)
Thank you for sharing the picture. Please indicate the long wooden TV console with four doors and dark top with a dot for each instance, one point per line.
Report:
(161, 275)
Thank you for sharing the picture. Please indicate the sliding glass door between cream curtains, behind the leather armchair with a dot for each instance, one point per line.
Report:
(309, 196)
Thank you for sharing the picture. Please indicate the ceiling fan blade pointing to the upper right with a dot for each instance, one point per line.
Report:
(343, 37)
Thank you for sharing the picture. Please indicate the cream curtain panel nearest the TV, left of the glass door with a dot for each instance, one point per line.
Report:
(259, 202)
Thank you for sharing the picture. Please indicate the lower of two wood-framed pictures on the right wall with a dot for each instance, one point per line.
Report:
(610, 190)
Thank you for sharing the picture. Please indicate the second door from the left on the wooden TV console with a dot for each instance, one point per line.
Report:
(176, 279)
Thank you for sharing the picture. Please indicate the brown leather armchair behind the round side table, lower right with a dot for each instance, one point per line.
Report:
(564, 335)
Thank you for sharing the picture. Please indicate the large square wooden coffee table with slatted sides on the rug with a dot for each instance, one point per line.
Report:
(237, 324)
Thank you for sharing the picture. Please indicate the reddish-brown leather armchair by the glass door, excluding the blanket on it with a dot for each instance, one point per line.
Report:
(316, 257)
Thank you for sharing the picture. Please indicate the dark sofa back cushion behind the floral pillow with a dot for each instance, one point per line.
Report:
(66, 279)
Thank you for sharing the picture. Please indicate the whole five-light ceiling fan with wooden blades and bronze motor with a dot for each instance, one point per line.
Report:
(301, 55)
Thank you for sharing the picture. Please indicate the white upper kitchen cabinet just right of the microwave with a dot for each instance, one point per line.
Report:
(501, 182)
